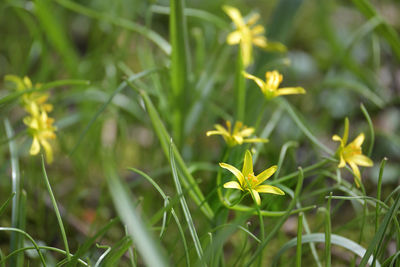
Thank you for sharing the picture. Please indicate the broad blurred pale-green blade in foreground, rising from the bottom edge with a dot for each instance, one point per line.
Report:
(148, 248)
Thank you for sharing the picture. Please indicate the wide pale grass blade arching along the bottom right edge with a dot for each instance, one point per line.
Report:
(320, 238)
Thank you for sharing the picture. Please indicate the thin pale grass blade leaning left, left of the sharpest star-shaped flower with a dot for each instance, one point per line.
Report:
(185, 208)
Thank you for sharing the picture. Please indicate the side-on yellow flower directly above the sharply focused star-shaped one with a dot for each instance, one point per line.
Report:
(238, 136)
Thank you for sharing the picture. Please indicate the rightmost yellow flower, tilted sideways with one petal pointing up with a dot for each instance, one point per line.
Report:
(352, 153)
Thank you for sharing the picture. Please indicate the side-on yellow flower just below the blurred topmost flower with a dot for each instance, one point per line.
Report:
(270, 87)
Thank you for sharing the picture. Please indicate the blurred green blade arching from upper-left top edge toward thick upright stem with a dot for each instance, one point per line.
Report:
(121, 22)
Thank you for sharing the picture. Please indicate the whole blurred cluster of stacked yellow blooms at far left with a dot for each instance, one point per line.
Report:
(39, 123)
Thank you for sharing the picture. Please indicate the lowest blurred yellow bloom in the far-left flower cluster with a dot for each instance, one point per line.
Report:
(41, 128)
